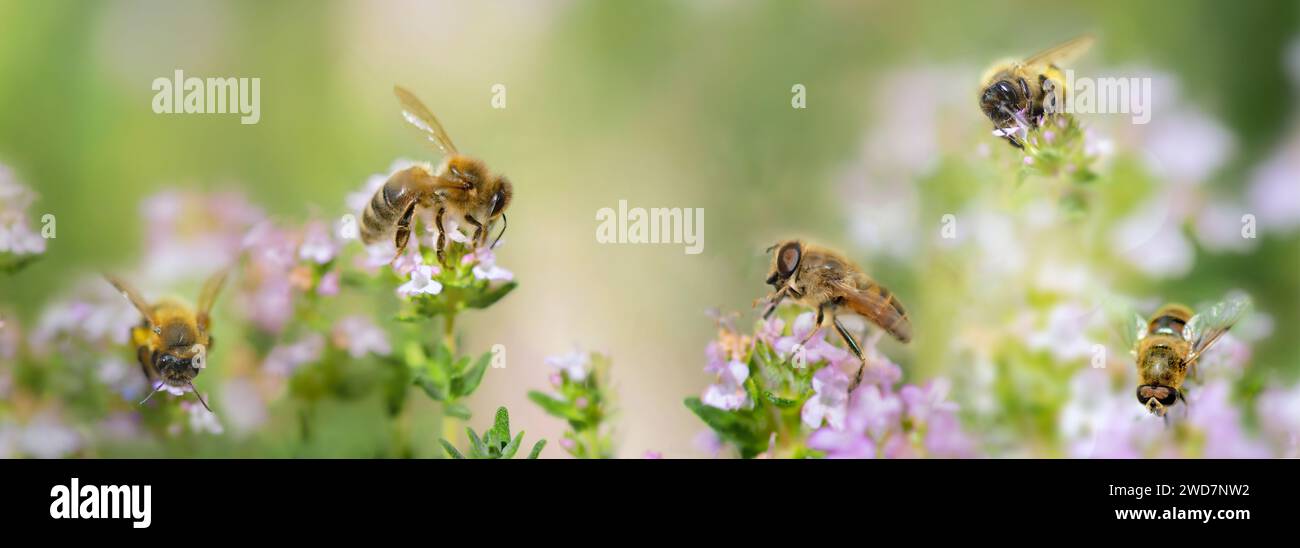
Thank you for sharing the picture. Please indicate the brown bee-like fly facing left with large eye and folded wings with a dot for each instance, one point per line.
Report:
(826, 281)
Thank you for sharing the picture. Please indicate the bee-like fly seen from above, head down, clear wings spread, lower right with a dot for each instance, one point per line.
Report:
(1169, 343)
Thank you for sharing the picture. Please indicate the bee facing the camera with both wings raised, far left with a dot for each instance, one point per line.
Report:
(172, 341)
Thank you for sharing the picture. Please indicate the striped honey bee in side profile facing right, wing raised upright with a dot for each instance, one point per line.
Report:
(461, 186)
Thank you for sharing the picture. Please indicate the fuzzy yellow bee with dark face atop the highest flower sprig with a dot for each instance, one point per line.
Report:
(1017, 94)
